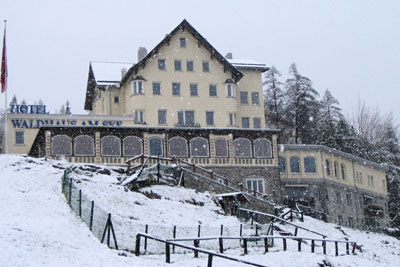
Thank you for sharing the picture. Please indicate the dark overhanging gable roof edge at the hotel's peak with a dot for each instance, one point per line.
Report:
(185, 25)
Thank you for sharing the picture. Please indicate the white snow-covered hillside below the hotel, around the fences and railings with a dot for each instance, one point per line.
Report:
(37, 227)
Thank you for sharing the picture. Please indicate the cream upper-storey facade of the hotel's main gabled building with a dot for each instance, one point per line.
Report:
(227, 110)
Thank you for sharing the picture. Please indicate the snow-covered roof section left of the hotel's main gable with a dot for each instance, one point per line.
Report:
(106, 72)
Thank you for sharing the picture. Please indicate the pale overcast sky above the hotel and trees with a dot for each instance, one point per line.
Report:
(350, 47)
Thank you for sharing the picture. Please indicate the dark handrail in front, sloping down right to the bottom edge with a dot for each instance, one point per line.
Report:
(211, 254)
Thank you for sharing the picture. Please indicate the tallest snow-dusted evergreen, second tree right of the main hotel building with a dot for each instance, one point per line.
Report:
(301, 107)
